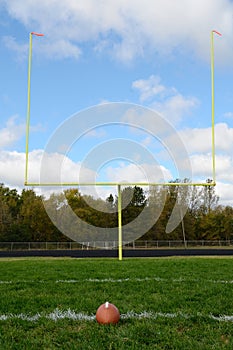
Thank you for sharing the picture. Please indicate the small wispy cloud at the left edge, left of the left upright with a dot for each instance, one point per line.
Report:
(11, 133)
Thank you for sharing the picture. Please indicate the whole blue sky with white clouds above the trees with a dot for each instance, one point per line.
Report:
(154, 54)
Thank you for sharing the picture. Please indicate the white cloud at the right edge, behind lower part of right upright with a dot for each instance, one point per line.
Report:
(199, 145)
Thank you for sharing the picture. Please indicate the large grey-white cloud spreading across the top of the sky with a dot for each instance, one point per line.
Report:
(129, 28)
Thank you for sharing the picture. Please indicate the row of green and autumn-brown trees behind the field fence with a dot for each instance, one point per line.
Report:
(23, 216)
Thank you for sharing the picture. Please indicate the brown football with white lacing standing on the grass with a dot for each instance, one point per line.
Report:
(107, 313)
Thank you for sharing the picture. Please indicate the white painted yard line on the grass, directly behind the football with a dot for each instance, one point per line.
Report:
(80, 316)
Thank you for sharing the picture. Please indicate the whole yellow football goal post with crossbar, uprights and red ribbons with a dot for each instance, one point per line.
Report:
(119, 184)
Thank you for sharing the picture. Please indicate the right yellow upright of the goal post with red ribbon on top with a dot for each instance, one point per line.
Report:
(213, 102)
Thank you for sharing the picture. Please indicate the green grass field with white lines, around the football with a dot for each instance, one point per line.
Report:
(168, 303)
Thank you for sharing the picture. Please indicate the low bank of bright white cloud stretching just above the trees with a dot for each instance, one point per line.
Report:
(12, 168)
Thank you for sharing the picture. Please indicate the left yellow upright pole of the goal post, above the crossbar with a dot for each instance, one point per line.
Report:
(28, 107)
